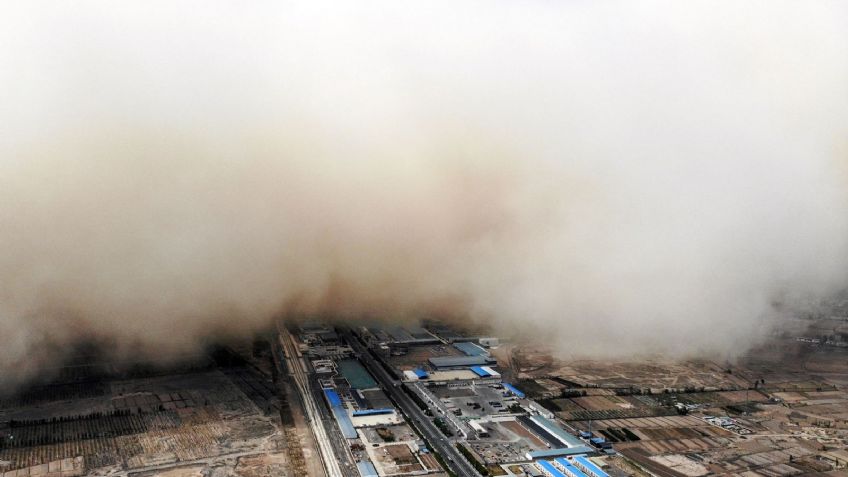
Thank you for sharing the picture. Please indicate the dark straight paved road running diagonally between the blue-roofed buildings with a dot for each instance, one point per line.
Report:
(454, 459)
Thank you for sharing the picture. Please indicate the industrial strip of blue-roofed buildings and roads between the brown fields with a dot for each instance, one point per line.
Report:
(408, 401)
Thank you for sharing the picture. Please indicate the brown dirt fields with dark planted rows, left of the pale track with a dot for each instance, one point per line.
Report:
(224, 421)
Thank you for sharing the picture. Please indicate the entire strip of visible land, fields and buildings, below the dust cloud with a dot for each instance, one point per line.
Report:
(318, 399)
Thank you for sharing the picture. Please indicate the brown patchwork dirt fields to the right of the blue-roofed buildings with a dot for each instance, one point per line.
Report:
(785, 404)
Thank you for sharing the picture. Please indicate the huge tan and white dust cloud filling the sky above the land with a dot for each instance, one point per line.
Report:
(609, 178)
